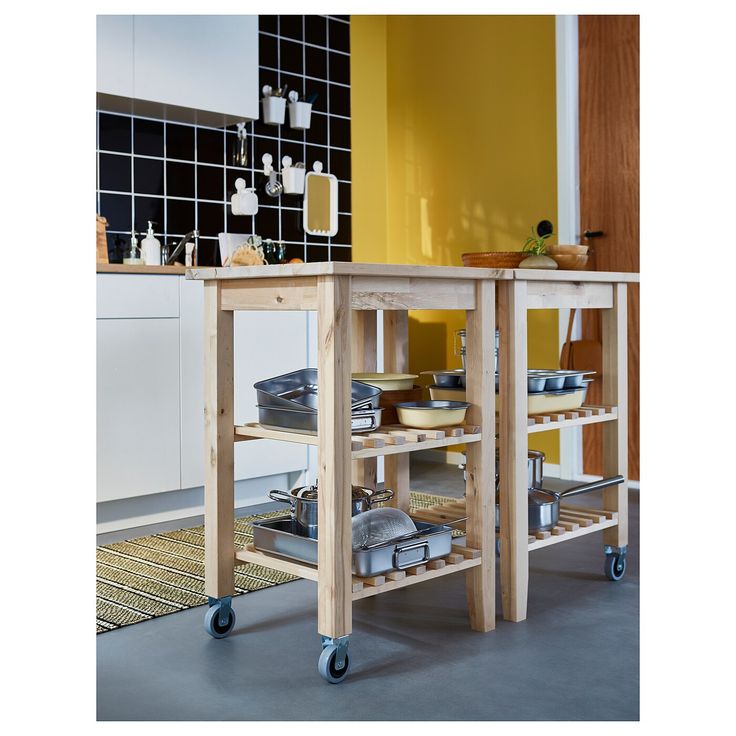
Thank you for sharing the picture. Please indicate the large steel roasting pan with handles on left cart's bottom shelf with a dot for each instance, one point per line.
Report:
(278, 536)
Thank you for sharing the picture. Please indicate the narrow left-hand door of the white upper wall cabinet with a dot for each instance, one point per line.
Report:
(115, 55)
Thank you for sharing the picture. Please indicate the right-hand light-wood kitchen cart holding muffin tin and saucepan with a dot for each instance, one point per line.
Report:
(529, 289)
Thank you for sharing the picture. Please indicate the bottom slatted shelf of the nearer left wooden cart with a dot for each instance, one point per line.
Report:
(461, 558)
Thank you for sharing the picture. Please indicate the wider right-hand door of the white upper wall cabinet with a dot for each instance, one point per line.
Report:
(205, 62)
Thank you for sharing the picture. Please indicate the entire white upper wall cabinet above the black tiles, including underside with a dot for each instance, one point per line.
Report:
(193, 68)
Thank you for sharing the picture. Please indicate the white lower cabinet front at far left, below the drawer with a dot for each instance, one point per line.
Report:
(137, 407)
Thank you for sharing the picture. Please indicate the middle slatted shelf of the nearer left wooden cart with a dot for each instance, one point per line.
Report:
(390, 440)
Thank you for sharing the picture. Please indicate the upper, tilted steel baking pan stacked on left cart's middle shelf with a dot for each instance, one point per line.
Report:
(298, 391)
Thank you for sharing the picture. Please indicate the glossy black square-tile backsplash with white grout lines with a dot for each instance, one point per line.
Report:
(182, 176)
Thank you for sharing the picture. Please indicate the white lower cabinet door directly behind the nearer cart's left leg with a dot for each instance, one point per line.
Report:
(266, 344)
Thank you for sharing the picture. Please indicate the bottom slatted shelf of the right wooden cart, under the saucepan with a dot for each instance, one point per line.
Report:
(574, 521)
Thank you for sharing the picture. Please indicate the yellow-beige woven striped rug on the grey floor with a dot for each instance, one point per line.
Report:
(153, 576)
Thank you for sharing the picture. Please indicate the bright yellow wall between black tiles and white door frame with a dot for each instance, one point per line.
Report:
(453, 150)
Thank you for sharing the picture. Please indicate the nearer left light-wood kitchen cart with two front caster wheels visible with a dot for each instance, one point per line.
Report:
(335, 291)
